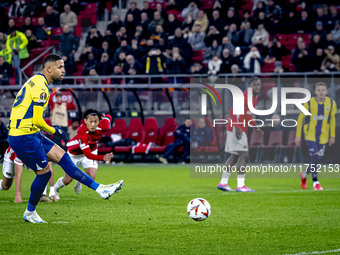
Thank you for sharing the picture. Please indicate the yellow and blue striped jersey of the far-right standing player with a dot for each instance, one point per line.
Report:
(321, 123)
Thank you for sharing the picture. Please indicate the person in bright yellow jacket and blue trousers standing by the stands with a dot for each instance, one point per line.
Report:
(17, 43)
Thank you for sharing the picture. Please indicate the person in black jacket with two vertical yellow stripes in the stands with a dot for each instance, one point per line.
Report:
(153, 62)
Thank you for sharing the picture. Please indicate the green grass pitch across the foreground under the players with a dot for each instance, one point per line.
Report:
(148, 216)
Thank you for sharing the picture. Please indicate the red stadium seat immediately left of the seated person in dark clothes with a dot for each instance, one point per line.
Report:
(166, 135)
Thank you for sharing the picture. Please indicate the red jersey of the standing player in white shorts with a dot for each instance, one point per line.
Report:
(242, 118)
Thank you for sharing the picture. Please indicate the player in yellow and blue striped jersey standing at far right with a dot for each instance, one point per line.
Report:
(317, 128)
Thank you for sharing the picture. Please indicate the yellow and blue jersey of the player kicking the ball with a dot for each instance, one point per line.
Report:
(31, 100)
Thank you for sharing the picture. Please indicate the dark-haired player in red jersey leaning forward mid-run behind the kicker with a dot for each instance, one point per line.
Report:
(83, 148)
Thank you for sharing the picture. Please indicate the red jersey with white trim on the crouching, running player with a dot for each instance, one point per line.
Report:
(84, 139)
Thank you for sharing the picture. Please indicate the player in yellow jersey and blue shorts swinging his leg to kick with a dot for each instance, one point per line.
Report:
(33, 148)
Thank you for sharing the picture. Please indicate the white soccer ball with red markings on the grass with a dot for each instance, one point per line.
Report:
(199, 209)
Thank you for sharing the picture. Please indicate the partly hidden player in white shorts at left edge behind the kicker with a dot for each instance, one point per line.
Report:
(12, 167)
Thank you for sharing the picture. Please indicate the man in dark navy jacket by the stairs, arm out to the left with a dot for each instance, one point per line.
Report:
(68, 43)
